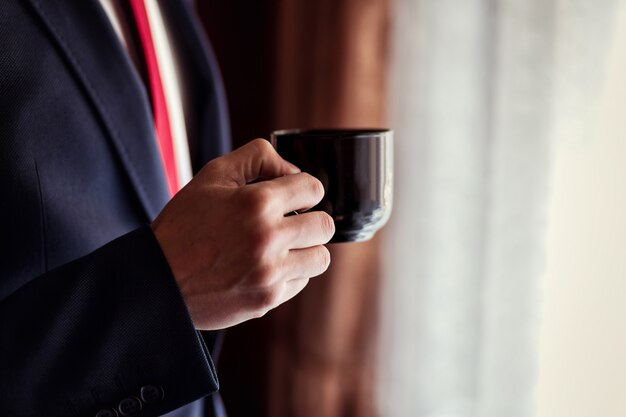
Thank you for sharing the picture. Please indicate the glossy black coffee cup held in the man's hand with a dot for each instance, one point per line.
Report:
(356, 168)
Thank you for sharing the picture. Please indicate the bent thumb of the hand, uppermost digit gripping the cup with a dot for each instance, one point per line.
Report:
(256, 160)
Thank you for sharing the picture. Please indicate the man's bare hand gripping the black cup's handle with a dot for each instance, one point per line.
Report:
(233, 252)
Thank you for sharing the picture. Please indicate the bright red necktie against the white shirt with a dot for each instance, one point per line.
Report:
(159, 105)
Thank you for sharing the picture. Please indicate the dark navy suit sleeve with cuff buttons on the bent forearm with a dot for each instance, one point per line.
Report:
(107, 331)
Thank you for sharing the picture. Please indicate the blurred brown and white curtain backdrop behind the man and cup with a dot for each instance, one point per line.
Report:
(499, 286)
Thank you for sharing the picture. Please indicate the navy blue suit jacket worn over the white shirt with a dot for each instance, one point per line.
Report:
(89, 309)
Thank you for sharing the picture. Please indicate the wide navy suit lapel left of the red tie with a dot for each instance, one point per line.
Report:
(84, 35)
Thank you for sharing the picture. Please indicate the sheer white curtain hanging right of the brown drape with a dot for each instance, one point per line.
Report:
(481, 94)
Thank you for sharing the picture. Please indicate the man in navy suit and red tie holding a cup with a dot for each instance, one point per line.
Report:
(104, 284)
